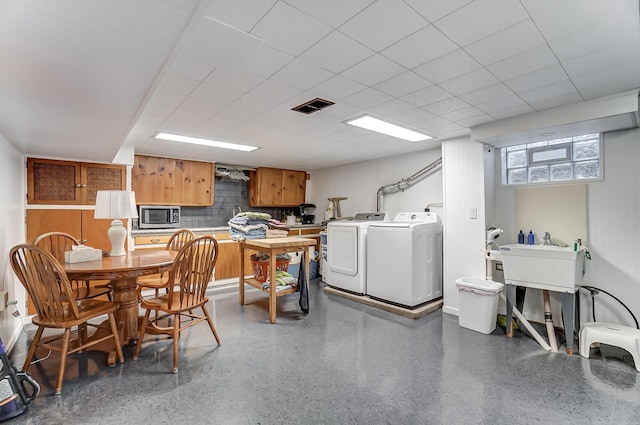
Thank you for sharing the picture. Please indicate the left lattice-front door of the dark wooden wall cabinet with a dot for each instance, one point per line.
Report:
(53, 182)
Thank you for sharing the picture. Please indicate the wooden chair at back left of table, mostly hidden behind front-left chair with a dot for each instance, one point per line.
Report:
(56, 244)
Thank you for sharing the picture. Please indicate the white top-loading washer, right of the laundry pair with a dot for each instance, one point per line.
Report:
(404, 259)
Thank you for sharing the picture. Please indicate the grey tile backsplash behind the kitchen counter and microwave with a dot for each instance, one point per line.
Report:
(226, 195)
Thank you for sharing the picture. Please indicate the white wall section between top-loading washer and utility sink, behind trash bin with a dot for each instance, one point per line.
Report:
(464, 237)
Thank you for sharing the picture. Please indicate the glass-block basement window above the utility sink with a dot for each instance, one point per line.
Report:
(566, 160)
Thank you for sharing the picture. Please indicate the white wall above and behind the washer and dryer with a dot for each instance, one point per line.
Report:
(360, 182)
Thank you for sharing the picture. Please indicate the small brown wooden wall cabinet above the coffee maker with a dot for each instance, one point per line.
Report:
(275, 187)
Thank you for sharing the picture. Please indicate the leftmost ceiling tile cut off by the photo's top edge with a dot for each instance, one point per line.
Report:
(243, 15)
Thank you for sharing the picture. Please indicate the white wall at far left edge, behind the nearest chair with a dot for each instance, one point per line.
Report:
(12, 232)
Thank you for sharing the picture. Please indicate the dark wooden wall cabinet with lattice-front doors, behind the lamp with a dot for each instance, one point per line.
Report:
(70, 183)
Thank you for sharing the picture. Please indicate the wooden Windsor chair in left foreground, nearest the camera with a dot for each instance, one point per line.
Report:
(48, 286)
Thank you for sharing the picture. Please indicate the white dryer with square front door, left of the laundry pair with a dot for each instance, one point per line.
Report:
(346, 266)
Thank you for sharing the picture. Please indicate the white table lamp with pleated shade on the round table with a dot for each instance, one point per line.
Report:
(116, 205)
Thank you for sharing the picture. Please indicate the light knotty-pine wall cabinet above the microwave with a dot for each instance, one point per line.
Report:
(167, 181)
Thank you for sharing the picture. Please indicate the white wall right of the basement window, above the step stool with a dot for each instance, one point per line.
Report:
(613, 214)
